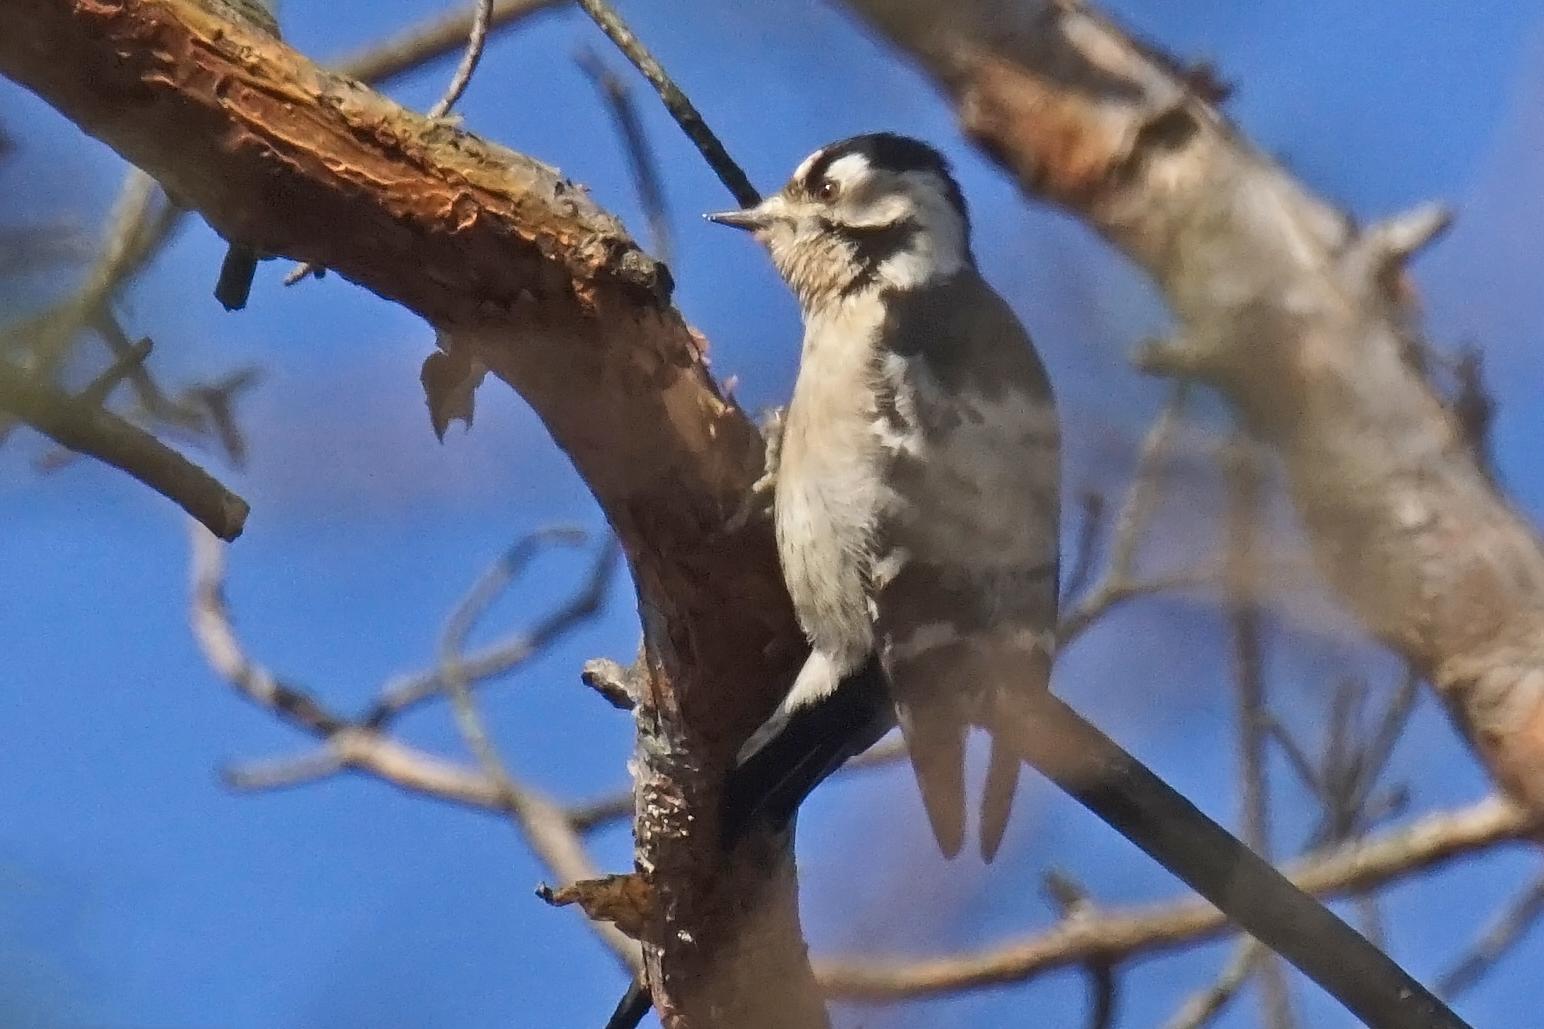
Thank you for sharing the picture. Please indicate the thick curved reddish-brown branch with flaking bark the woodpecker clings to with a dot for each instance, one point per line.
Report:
(504, 256)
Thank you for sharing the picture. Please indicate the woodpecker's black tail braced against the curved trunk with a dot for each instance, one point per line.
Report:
(770, 786)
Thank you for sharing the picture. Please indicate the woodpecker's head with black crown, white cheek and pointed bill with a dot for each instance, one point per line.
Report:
(870, 212)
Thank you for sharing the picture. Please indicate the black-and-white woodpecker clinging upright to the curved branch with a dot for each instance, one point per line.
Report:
(918, 486)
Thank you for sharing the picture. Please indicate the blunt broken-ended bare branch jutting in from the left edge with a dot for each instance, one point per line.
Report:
(92, 430)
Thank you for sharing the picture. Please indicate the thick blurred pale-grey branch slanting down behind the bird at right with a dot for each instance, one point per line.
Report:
(1290, 310)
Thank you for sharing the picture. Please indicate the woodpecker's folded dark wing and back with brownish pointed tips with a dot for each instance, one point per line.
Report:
(969, 537)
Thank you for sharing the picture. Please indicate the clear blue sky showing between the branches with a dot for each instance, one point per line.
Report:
(138, 894)
